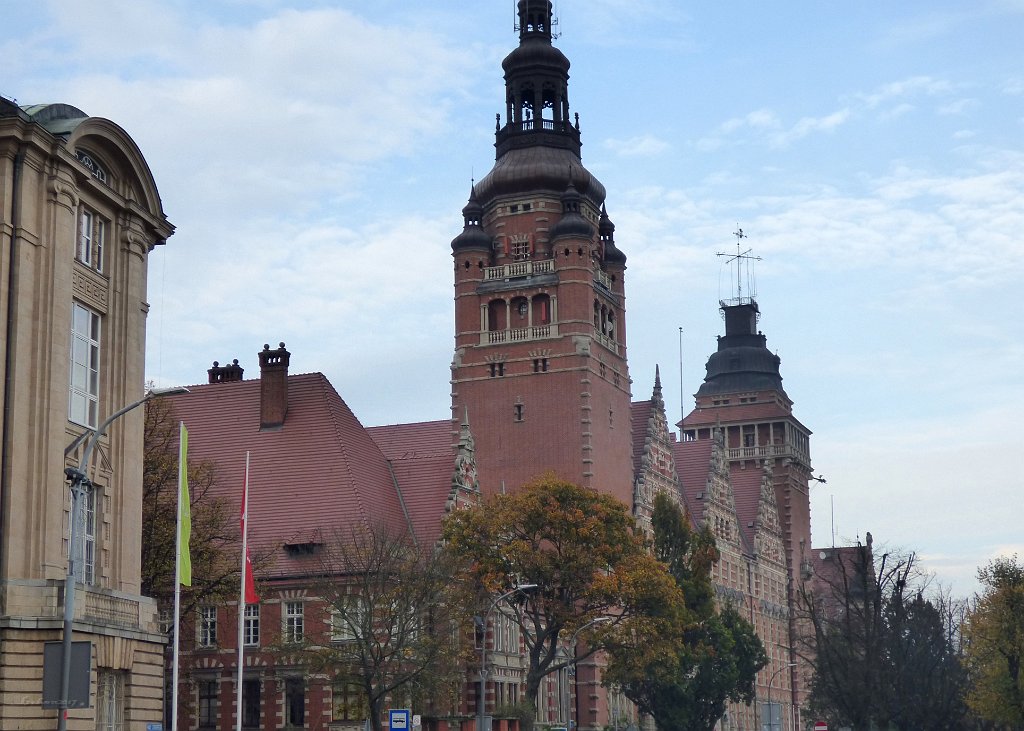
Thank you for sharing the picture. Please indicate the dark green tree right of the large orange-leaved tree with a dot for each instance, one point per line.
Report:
(719, 654)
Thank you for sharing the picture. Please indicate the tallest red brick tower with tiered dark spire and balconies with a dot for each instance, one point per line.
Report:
(540, 360)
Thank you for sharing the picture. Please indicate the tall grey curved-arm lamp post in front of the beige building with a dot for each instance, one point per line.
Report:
(79, 483)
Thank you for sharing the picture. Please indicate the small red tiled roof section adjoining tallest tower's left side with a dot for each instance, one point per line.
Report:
(422, 458)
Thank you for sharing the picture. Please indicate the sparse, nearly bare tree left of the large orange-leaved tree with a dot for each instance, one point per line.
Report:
(396, 613)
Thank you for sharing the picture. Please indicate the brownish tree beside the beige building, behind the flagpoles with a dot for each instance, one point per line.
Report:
(217, 540)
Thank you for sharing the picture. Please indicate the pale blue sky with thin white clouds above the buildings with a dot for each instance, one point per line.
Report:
(315, 158)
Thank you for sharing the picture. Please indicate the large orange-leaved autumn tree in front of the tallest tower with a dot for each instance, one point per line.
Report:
(579, 548)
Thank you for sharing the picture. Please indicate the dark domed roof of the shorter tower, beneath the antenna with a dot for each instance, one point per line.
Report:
(743, 362)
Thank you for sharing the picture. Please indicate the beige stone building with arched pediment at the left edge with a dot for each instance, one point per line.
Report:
(79, 216)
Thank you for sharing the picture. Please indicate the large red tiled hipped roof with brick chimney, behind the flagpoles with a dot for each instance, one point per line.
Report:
(319, 476)
